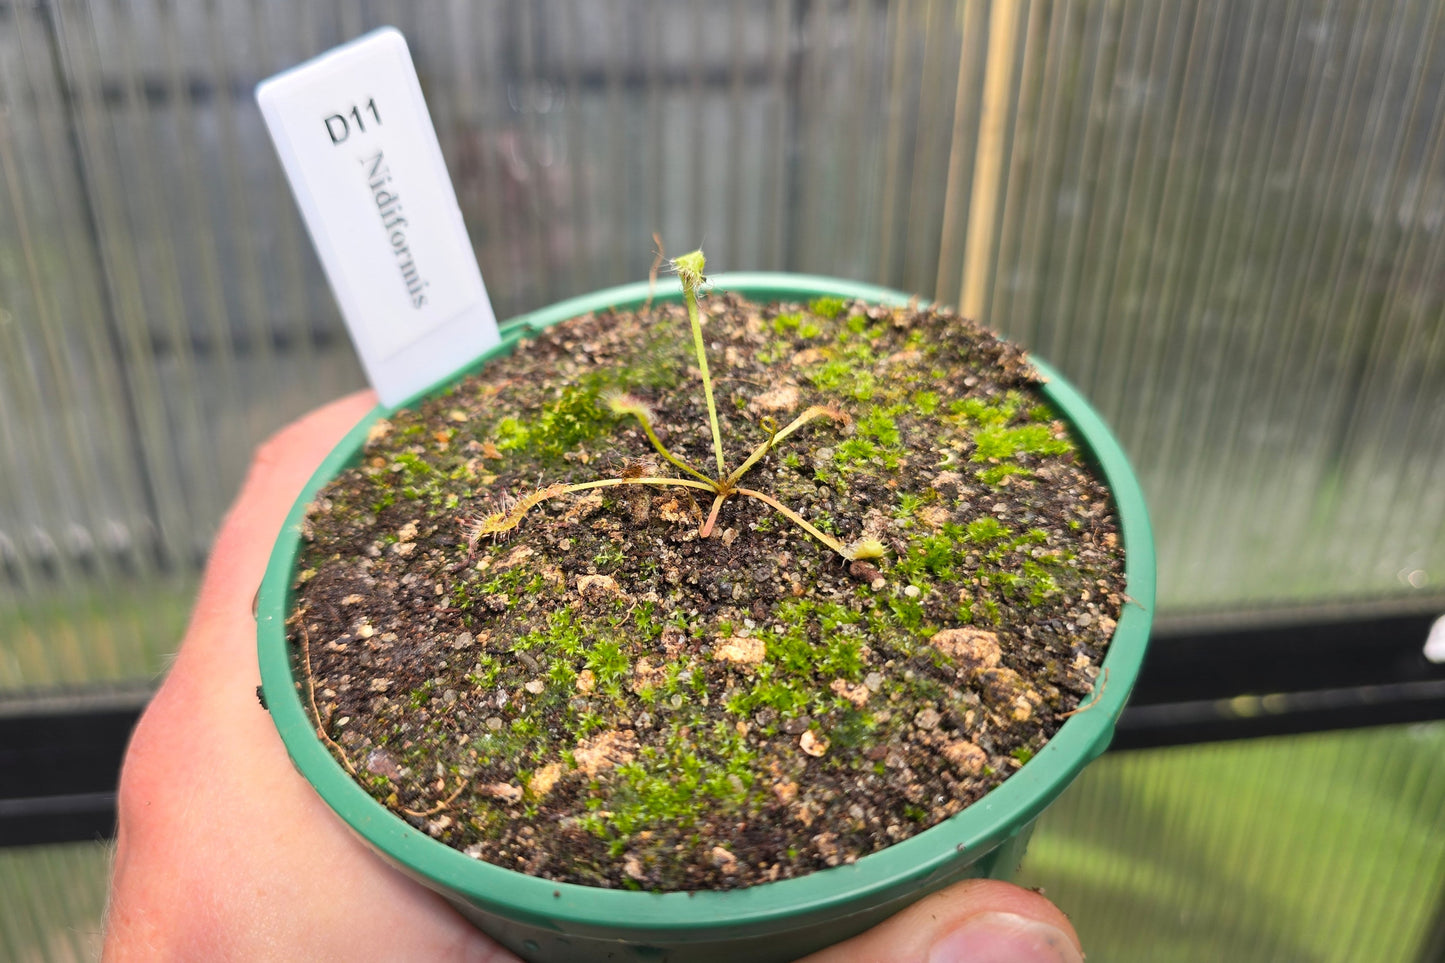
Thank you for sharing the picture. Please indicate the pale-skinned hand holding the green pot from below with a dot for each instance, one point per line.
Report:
(226, 854)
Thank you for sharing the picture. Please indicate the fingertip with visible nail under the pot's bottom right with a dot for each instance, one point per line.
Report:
(975, 922)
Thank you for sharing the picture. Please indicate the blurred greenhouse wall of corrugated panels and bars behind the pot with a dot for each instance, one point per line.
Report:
(1225, 222)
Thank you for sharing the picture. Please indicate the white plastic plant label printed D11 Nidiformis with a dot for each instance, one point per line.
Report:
(362, 158)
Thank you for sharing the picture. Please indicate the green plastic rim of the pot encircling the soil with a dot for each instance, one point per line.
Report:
(975, 832)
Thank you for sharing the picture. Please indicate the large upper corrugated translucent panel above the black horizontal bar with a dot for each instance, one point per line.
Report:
(1223, 221)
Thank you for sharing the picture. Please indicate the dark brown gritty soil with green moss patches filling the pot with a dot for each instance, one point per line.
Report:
(605, 698)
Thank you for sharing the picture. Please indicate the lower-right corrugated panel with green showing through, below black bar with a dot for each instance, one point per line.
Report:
(1321, 848)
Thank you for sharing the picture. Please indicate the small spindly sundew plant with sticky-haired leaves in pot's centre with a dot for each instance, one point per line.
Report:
(725, 485)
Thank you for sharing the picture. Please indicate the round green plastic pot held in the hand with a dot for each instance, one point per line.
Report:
(784, 920)
